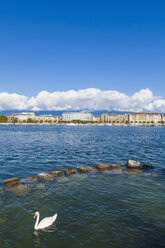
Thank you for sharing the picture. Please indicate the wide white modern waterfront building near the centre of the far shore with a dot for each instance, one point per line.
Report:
(77, 116)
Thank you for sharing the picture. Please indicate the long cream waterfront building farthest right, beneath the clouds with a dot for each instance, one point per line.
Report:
(144, 117)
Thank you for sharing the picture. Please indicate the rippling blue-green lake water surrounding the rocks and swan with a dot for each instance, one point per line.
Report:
(117, 209)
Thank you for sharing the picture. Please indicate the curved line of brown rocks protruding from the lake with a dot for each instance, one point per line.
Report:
(20, 186)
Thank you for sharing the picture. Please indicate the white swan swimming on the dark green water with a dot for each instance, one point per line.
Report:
(48, 221)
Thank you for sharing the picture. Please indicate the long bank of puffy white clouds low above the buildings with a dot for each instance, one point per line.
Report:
(88, 99)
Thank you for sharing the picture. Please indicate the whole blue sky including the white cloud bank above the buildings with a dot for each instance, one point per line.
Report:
(82, 54)
